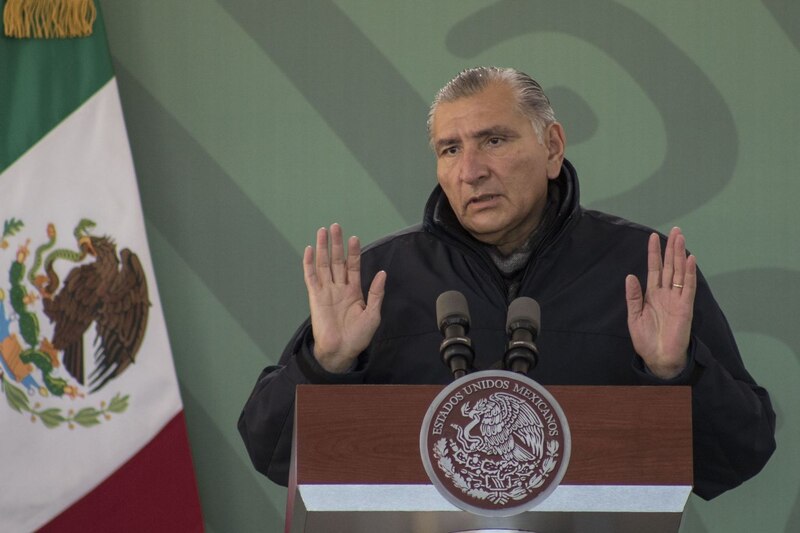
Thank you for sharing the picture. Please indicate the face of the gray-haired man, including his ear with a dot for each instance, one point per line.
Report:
(492, 166)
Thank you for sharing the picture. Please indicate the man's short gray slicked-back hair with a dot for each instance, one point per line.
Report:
(531, 100)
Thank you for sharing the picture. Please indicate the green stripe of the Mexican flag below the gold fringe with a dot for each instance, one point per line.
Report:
(42, 81)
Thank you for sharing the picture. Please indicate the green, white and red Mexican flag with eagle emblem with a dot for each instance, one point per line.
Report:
(92, 432)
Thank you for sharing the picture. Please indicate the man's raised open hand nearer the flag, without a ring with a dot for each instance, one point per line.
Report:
(342, 322)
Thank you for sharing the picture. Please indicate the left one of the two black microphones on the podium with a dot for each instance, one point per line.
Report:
(452, 316)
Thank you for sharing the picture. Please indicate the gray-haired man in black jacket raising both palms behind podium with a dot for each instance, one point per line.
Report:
(505, 221)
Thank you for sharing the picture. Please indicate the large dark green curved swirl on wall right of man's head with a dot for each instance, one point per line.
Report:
(674, 77)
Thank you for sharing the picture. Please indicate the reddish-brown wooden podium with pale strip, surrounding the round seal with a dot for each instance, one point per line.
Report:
(356, 463)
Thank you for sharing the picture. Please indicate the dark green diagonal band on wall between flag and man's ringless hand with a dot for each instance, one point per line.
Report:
(204, 217)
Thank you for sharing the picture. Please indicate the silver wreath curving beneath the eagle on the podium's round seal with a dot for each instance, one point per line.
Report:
(531, 475)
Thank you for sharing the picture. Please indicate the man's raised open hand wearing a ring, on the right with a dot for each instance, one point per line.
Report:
(660, 320)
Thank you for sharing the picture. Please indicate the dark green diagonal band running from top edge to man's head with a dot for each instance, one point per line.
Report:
(330, 63)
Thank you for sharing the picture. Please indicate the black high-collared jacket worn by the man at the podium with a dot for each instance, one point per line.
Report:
(577, 275)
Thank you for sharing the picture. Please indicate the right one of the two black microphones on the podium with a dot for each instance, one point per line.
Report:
(522, 325)
